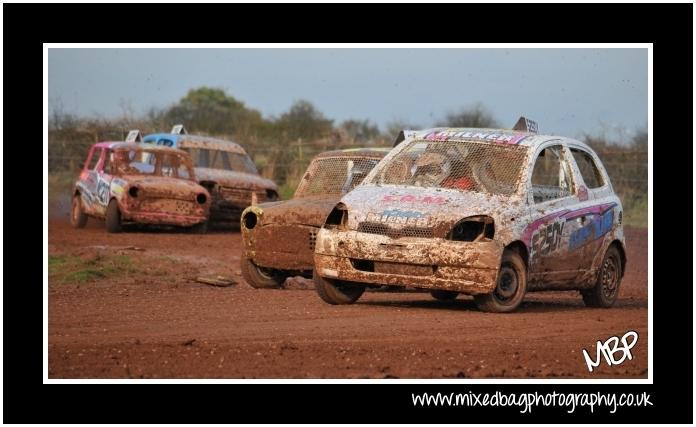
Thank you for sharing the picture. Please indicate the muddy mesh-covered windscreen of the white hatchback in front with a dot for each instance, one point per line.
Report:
(464, 165)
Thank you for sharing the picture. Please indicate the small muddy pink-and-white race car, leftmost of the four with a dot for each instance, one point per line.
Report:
(124, 182)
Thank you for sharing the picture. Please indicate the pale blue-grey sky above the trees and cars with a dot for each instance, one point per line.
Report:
(567, 91)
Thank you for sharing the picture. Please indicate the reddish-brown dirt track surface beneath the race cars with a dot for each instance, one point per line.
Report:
(128, 306)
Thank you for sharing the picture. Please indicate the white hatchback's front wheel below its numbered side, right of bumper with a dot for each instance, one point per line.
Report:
(510, 287)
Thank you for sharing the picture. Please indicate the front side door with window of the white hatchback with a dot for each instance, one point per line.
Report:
(553, 199)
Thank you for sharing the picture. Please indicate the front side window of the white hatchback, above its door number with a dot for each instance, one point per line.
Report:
(551, 177)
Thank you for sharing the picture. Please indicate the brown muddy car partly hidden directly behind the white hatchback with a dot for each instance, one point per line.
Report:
(279, 236)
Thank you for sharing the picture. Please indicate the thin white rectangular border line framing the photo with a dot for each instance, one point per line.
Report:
(47, 46)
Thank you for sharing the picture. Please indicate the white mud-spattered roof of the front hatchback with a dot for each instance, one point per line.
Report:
(491, 135)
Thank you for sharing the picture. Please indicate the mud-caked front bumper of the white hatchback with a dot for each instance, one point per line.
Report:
(431, 263)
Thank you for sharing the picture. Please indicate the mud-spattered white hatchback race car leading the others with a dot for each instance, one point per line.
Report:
(485, 212)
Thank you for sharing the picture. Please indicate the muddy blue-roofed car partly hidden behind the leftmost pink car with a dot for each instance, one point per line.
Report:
(224, 169)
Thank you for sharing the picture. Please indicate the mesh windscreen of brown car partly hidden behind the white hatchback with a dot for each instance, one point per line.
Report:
(334, 176)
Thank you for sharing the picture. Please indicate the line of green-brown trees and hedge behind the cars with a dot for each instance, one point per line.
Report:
(282, 146)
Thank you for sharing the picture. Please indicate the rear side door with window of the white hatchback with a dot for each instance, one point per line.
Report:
(595, 207)
